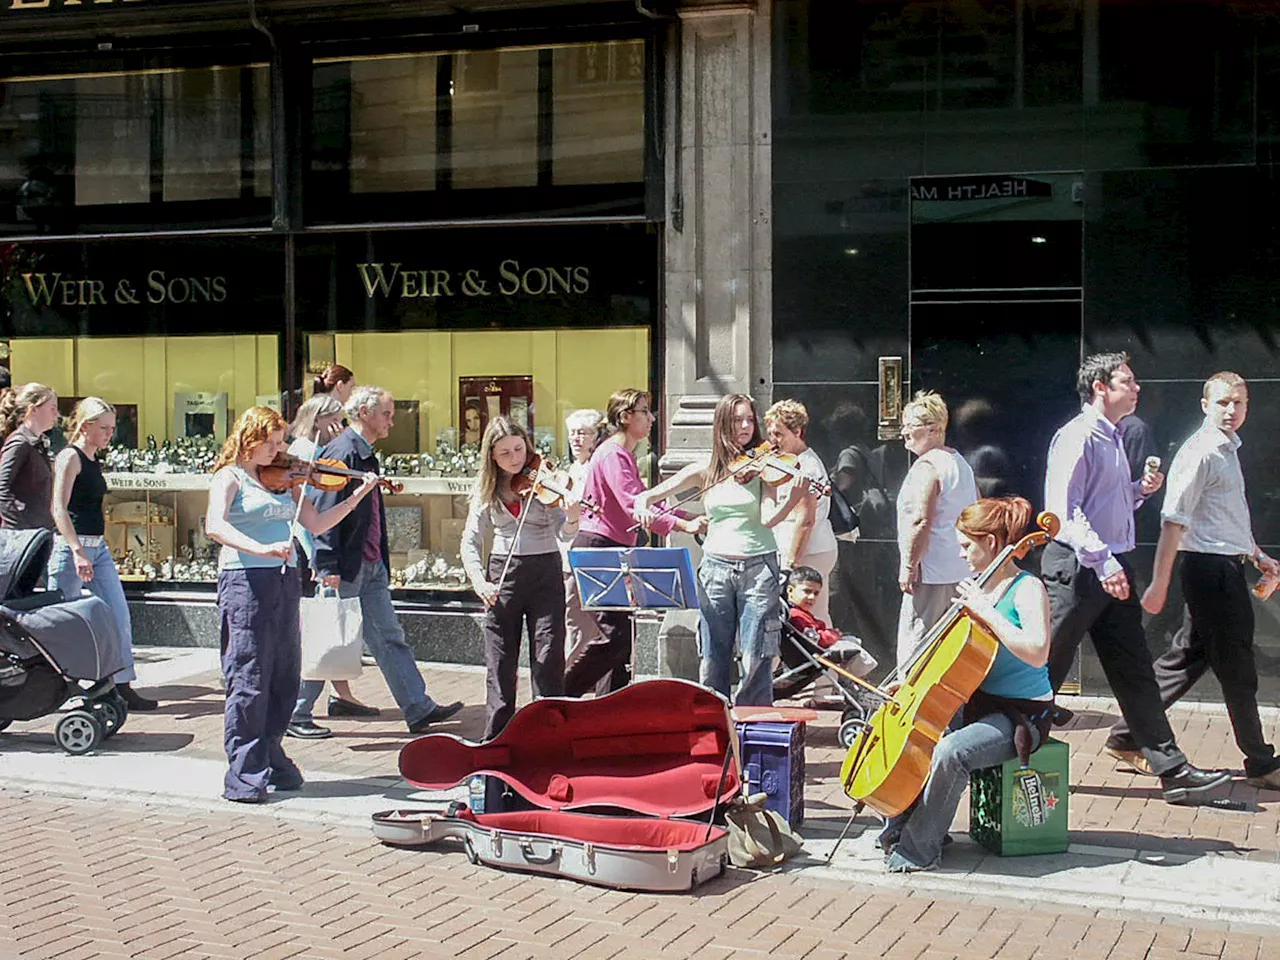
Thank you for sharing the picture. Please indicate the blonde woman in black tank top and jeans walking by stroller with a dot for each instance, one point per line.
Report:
(81, 559)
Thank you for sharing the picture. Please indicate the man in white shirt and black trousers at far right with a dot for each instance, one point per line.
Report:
(1206, 518)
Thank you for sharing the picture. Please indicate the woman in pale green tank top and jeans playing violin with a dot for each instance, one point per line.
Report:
(739, 578)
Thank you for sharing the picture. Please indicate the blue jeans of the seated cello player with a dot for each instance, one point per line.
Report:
(985, 743)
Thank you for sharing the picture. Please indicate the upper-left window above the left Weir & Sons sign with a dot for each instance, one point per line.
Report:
(132, 149)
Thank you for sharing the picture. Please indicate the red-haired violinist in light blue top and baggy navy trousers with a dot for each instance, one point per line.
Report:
(258, 601)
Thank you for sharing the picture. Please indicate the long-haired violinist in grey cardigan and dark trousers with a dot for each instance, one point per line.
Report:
(523, 583)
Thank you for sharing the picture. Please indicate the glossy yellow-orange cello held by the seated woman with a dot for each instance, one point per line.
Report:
(889, 761)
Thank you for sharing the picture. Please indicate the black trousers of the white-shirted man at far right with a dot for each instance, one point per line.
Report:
(1217, 634)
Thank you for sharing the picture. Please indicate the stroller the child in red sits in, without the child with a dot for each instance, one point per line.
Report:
(801, 669)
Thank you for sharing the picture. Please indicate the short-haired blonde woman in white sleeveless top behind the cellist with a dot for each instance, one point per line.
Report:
(936, 490)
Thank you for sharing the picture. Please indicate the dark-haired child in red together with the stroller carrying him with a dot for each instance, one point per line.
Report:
(806, 639)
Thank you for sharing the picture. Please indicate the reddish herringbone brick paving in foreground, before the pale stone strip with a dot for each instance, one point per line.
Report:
(80, 881)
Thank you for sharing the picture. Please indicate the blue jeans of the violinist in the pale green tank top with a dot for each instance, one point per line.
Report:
(740, 606)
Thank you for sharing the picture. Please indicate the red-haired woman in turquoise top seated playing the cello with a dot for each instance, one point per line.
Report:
(1011, 715)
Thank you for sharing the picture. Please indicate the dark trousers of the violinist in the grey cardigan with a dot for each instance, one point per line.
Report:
(533, 597)
